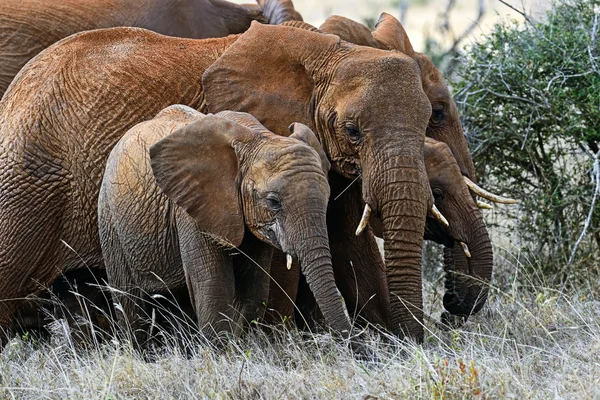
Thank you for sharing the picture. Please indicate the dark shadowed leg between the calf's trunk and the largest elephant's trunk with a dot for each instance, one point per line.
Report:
(360, 272)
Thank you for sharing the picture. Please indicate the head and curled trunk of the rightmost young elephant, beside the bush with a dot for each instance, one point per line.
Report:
(469, 274)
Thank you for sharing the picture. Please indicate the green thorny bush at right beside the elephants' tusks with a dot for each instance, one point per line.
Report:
(529, 94)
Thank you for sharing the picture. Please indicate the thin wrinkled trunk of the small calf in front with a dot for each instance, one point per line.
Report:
(315, 264)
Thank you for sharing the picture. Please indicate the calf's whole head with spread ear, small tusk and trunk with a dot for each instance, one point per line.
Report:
(231, 175)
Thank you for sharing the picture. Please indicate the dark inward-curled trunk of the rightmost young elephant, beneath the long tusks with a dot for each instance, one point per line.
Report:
(467, 279)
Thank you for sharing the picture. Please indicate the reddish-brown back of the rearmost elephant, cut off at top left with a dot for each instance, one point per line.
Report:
(29, 26)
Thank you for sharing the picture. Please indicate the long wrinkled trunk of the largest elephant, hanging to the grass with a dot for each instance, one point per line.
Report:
(399, 192)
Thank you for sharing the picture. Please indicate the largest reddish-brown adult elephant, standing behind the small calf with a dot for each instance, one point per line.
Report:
(70, 105)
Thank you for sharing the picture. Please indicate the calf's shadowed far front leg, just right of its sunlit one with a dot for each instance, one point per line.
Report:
(252, 271)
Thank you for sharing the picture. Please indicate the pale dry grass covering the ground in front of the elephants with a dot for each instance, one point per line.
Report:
(529, 342)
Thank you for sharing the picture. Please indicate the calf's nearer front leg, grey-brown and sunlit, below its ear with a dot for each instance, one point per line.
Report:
(209, 277)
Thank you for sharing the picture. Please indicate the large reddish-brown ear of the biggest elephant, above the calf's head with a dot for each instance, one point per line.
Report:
(270, 72)
